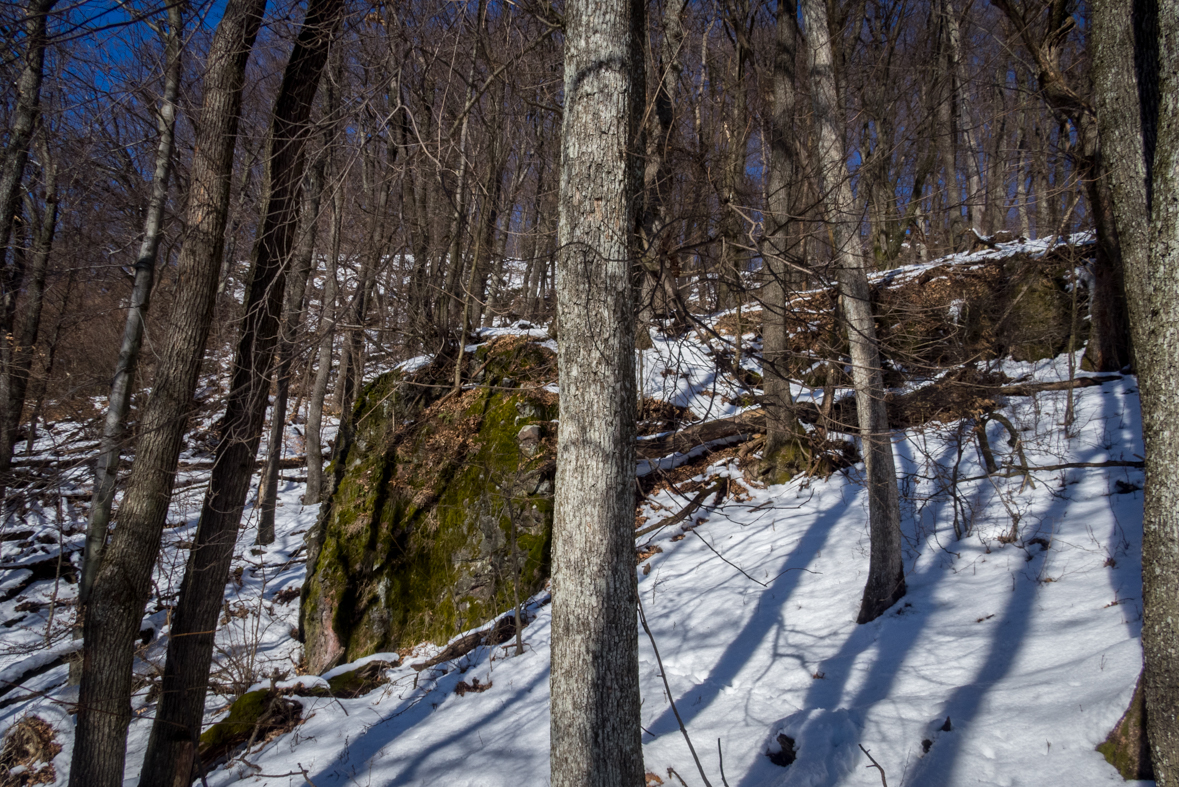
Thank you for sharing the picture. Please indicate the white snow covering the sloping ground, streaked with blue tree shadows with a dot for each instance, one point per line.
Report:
(1011, 658)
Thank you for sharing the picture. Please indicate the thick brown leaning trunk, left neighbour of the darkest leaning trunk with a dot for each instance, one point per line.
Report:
(113, 618)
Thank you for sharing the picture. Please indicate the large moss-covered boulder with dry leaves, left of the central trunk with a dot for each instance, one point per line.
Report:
(443, 513)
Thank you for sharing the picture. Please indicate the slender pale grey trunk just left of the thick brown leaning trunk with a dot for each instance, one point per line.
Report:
(107, 468)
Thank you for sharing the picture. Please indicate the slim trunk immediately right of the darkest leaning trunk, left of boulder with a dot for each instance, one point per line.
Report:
(293, 314)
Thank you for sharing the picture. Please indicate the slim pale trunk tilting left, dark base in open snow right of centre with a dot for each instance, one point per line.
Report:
(886, 573)
